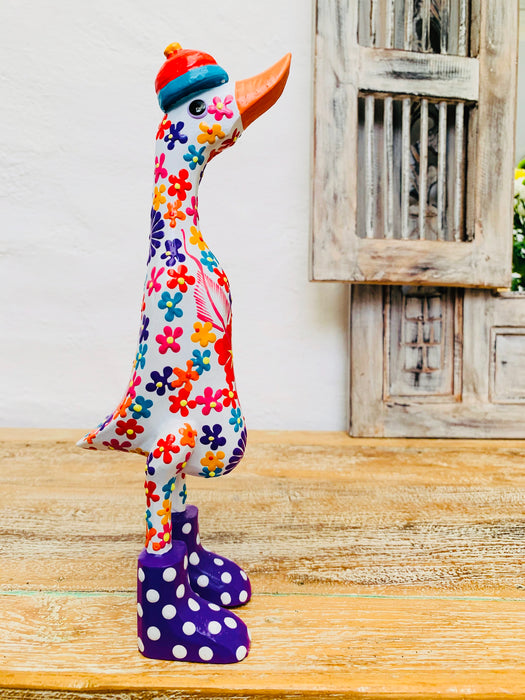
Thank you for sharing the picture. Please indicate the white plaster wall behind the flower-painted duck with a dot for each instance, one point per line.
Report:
(78, 122)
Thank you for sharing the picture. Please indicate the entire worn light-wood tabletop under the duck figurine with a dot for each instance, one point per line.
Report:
(381, 569)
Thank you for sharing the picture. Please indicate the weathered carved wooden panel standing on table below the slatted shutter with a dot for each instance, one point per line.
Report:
(478, 389)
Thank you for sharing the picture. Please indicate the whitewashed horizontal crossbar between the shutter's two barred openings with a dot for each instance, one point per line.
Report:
(430, 75)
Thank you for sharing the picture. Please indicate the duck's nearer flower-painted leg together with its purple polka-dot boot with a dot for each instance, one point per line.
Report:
(174, 622)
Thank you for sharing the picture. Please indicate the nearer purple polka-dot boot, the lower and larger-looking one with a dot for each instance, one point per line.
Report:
(175, 623)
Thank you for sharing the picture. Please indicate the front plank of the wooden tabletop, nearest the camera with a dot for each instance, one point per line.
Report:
(303, 646)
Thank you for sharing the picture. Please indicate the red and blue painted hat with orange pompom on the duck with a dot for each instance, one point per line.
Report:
(186, 73)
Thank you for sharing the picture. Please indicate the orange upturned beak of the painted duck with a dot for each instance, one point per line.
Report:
(256, 95)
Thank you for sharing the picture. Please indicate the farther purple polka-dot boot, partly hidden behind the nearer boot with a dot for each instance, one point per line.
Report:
(215, 578)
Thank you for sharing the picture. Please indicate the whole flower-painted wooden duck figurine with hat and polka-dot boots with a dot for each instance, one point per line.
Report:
(181, 408)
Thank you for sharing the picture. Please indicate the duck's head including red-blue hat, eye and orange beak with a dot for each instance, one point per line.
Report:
(205, 111)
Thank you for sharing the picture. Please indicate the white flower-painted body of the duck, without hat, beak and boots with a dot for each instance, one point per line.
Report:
(181, 407)
